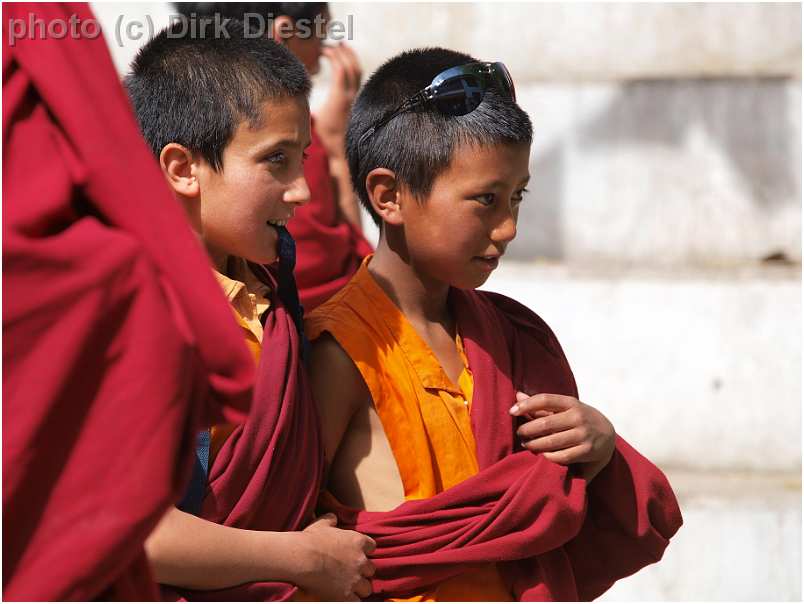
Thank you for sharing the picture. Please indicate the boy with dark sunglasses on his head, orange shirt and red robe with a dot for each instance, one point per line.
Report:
(453, 433)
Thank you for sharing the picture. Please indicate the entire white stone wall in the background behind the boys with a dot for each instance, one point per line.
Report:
(664, 246)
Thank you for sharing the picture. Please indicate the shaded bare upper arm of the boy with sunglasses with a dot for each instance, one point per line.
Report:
(338, 389)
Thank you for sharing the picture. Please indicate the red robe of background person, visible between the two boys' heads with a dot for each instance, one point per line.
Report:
(329, 247)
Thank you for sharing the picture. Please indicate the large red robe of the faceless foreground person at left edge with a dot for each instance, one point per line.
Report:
(118, 341)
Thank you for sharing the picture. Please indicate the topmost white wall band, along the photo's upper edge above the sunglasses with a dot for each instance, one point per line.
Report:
(591, 41)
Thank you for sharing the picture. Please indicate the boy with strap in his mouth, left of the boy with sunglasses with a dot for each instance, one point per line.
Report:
(228, 119)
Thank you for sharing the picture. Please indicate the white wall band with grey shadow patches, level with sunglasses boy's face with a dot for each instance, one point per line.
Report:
(663, 172)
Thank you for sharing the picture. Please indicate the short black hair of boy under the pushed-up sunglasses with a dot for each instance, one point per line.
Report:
(418, 145)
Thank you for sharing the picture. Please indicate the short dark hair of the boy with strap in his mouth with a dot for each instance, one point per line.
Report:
(195, 90)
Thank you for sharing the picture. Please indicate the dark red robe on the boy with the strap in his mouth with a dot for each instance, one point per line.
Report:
(268, 473)
